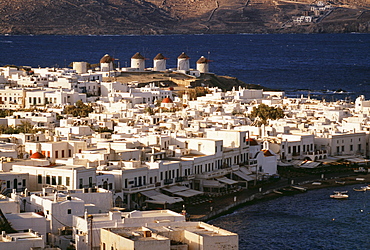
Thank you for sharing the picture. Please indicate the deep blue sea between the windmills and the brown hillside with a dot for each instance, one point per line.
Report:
(330, 66)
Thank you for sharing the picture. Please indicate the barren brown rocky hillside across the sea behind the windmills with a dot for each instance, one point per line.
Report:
(80, 17)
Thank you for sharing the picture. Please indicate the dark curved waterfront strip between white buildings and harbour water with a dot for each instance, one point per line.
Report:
(227, 204)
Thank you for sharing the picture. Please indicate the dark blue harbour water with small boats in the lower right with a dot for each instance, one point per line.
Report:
(310, 220)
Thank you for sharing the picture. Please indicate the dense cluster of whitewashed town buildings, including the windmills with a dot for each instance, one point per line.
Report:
(70, 186)
